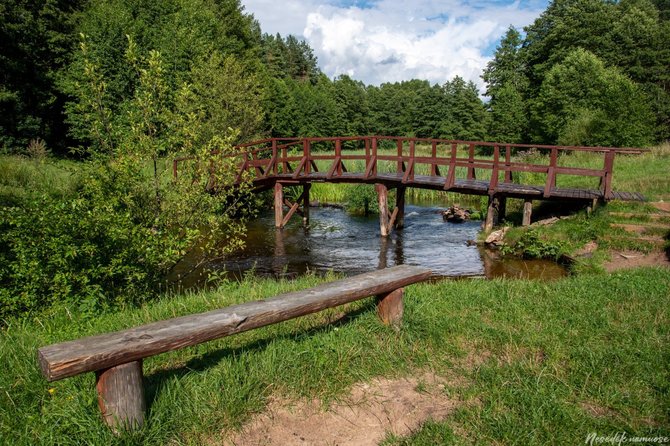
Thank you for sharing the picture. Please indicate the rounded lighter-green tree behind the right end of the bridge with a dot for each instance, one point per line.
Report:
(581, 101)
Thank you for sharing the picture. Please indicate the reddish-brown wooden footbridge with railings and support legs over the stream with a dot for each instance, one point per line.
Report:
(522, 171)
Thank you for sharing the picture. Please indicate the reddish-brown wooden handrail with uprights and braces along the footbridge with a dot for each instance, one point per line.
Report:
(267, 155)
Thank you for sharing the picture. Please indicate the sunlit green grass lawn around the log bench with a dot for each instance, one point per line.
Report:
(554, 362)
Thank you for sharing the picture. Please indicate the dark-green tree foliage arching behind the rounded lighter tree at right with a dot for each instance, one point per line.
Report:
(629, 35)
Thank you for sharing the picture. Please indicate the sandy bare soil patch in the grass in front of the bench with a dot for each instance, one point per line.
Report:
(364, 417)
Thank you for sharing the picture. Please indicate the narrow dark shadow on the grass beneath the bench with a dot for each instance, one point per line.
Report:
(156, 382)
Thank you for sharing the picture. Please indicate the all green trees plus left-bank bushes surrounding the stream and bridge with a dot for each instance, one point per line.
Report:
(114, 89)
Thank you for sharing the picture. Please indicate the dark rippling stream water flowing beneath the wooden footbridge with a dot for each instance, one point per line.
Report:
(335, 240)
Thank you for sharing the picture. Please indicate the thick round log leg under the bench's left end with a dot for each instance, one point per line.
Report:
(121, 396)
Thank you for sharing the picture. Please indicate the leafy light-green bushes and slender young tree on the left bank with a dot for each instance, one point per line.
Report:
(114, 239)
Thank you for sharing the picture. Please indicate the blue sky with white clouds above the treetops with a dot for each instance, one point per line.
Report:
(394, 40)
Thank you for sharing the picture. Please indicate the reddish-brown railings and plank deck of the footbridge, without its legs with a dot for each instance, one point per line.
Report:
(262, 160)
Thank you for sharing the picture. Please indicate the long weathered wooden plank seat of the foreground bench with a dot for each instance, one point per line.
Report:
(66, 359)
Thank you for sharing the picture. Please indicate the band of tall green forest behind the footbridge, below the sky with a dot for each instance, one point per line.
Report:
(588, 72)
